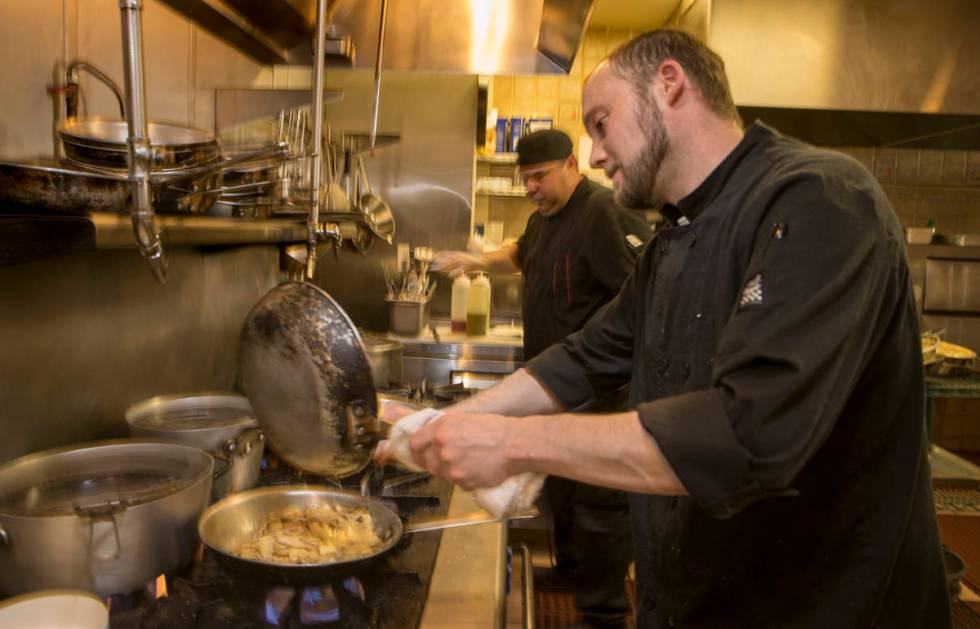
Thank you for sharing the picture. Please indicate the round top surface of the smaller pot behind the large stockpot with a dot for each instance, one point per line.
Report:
(195, 411)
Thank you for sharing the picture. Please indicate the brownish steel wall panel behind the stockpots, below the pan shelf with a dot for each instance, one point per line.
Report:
(84, 336)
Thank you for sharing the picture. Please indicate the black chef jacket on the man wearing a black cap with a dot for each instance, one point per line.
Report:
(574, 261)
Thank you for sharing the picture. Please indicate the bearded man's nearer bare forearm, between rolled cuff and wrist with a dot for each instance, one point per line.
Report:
(607, 450)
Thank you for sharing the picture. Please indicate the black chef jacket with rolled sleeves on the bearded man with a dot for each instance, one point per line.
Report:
(773, 353)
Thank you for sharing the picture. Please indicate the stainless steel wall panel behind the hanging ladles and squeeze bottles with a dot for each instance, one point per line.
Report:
(426, 177)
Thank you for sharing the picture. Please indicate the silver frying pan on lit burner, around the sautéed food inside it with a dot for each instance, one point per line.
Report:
(228, 524)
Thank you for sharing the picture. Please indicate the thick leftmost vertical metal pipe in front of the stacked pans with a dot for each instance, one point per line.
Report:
(138, 144)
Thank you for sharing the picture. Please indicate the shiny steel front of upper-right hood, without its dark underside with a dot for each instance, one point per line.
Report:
(895, 55)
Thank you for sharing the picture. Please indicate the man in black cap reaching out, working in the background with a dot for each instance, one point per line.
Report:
(576, 252)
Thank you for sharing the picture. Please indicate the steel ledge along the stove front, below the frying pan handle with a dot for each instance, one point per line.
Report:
(467, 587)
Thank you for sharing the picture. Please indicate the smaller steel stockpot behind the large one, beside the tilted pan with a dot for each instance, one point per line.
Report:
(219, 422)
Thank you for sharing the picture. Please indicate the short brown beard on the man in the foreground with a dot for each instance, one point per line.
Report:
(640, 174)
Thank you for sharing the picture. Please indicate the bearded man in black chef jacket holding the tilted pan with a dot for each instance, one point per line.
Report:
(775, 450)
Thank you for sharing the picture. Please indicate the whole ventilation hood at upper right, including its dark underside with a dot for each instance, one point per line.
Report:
(897, 73)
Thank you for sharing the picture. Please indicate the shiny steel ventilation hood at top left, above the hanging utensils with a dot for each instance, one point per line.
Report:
(459, 36)
